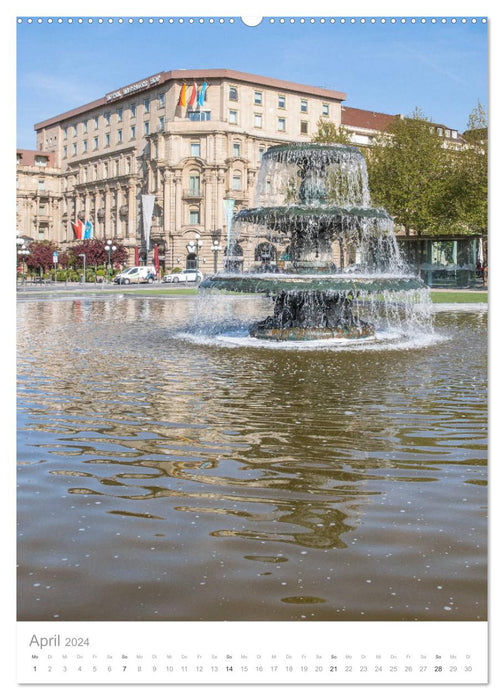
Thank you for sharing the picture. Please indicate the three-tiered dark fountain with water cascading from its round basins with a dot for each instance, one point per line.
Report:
(339, 256)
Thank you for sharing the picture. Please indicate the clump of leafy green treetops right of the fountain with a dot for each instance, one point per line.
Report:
(429, 188)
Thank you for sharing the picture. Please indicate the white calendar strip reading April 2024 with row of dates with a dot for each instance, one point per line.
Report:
(207, 653)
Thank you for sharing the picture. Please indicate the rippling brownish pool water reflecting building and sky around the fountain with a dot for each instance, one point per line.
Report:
(154, 467)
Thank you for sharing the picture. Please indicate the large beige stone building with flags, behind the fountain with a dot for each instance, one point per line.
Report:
(193, 139)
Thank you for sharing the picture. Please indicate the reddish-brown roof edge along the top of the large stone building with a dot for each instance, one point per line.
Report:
(190, 75)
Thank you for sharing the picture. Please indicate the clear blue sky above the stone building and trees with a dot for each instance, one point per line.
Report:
(440, 68)
